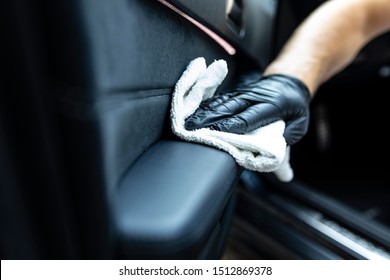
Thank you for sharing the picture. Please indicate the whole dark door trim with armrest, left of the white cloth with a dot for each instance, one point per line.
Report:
(94, 171)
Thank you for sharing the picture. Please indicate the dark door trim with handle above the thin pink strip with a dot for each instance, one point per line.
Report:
(247, 25)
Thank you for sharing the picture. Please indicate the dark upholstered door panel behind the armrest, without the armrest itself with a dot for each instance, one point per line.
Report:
(113, 66)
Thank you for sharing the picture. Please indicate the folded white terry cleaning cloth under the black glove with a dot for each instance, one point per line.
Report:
(262, 150)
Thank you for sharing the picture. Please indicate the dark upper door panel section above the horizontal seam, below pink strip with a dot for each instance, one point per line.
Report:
(119, 46)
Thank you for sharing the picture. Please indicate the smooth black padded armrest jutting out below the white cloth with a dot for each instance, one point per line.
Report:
(172, 198)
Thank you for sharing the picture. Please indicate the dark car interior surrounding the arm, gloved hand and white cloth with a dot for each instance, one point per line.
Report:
(90, 169)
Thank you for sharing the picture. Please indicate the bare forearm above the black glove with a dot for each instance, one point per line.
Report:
(329, 39)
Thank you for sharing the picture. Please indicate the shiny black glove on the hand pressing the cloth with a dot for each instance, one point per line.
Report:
(254, 104)
